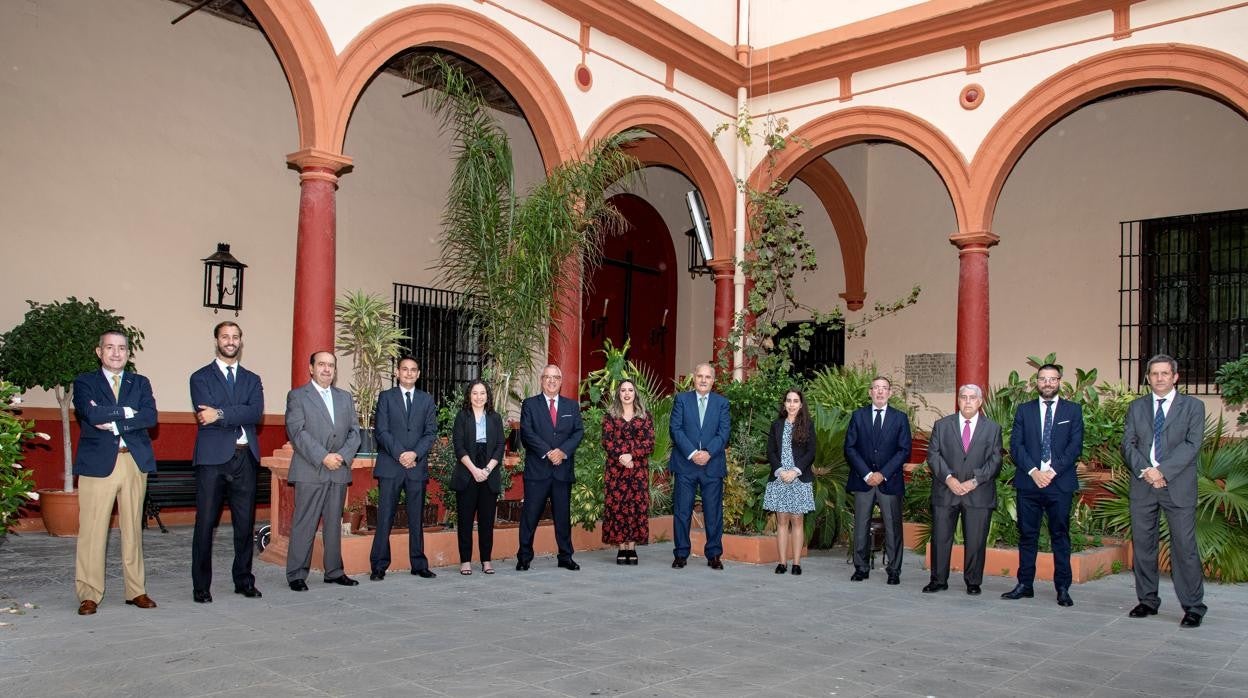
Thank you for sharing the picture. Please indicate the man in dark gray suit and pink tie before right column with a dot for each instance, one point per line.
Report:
(965, 458)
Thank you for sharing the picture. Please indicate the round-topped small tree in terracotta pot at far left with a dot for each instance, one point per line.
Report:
(51, 347)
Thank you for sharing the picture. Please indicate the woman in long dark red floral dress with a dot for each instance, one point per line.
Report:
(628, 440)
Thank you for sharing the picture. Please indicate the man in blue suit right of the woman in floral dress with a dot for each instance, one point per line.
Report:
(701, 426)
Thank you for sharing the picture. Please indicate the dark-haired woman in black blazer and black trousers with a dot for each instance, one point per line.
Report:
(477, 439)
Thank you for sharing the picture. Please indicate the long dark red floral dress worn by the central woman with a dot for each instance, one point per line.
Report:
(627, 491)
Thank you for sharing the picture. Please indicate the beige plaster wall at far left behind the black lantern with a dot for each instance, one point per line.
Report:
(132, 148)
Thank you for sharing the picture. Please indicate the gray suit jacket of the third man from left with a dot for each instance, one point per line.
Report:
(314, 435)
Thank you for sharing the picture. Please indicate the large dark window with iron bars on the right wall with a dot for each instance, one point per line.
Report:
(1184, 292)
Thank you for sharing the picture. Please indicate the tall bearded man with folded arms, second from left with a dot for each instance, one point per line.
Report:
(229, 403)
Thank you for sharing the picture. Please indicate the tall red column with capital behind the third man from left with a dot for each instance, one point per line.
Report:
(315, 258)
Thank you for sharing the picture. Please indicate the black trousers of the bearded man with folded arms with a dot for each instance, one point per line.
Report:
(234, 481)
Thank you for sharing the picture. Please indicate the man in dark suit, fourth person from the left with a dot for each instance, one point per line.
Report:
(407, 424)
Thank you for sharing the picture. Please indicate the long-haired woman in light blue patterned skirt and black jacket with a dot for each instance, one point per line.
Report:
(791, 491)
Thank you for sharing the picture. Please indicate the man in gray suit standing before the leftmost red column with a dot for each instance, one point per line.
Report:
(321, 425)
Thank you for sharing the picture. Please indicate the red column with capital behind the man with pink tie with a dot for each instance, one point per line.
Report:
(973, 307)
